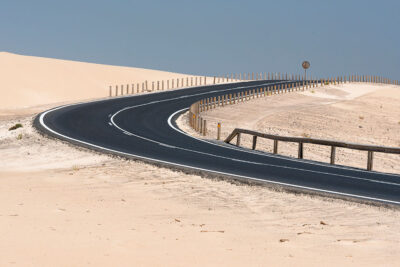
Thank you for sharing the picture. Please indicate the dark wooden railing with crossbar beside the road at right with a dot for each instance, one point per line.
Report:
(301, 140)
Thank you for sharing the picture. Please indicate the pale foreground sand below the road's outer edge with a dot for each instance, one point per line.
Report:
(61, 205)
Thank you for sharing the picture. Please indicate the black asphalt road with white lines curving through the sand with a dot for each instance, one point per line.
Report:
(140, 129)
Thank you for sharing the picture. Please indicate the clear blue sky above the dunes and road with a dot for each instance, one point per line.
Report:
(210, 37)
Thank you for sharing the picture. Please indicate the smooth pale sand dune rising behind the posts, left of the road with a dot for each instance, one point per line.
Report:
(27, 81)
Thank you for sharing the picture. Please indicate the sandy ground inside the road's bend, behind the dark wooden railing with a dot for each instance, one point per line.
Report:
(358, 113)
